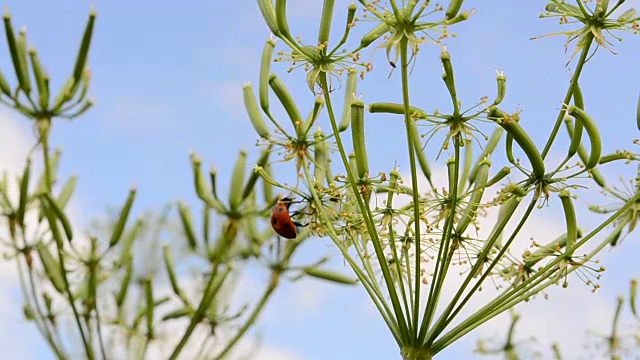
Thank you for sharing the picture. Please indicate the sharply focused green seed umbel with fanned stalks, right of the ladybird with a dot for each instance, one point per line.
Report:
(403, 244)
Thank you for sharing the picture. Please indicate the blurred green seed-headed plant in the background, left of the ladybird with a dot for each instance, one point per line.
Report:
(120, 284)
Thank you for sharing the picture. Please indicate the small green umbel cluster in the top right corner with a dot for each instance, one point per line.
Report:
(596, 23)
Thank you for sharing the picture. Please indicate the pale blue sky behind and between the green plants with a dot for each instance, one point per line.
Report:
(167, 79)
